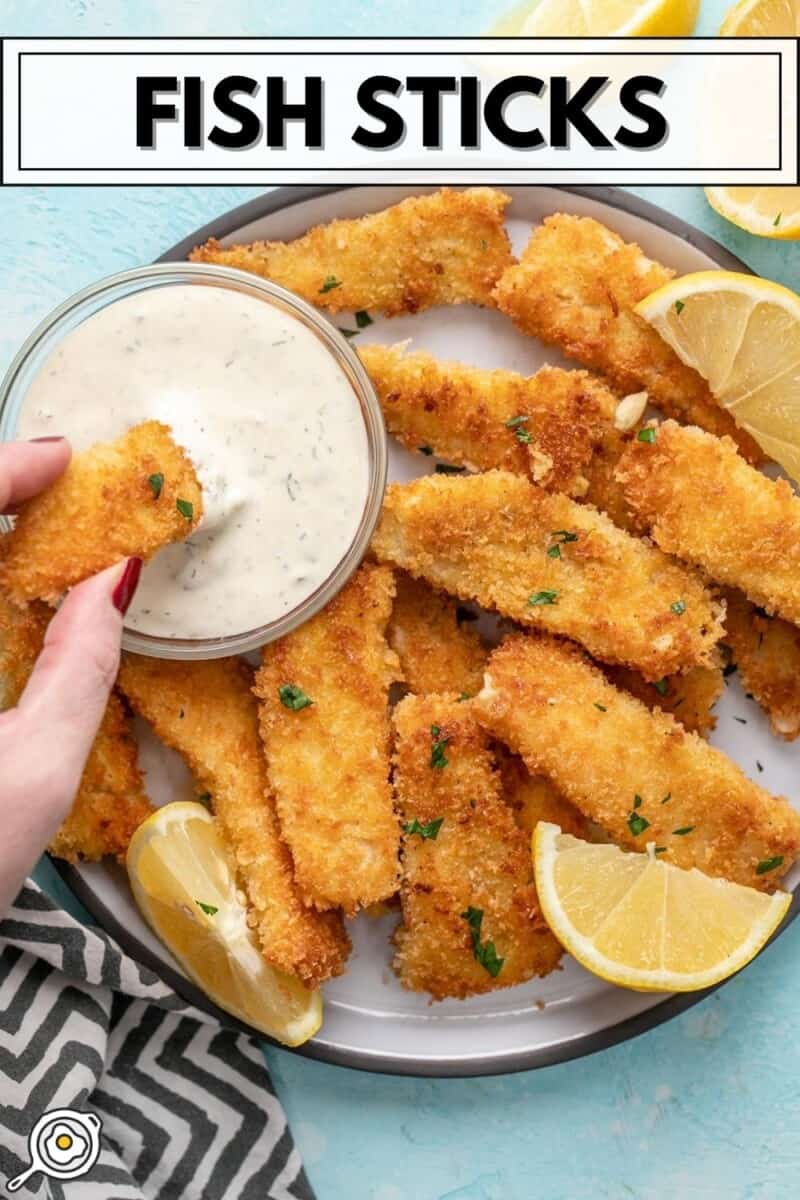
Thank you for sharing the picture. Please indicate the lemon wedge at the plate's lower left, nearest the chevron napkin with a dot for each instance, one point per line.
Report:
(184, 885)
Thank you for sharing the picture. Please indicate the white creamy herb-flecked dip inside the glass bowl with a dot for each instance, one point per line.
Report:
(270, 422)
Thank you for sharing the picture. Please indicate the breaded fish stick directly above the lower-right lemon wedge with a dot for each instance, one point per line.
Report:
(637, 775)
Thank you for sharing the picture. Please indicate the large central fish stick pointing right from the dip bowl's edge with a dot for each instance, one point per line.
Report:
(543, 560)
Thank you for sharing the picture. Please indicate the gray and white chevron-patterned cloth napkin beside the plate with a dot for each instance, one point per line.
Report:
(101, 1064)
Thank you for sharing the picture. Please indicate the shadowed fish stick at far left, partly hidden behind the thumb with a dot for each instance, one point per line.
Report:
(111, 802)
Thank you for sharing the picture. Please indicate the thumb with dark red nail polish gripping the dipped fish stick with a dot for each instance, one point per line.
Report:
(67, 695)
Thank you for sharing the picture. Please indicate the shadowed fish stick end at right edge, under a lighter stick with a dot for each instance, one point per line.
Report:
(767, 653)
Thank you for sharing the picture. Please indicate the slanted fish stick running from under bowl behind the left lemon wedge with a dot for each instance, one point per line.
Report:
(208, 713)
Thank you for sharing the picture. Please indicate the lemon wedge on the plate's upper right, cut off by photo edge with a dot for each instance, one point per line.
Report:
(743, 335)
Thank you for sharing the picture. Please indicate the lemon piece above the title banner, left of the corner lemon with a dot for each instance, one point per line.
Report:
(603, 19)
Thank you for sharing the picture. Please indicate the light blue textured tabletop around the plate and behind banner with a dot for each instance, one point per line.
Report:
(703, 1108)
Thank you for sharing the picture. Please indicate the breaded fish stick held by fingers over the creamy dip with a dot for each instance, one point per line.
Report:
(116, 500)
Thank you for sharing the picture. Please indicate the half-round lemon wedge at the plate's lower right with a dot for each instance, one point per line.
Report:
(646, 925)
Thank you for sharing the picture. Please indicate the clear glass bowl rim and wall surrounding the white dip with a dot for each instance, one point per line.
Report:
(47, 337)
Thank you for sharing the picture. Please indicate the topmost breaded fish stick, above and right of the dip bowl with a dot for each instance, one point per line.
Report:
(450, 248)
